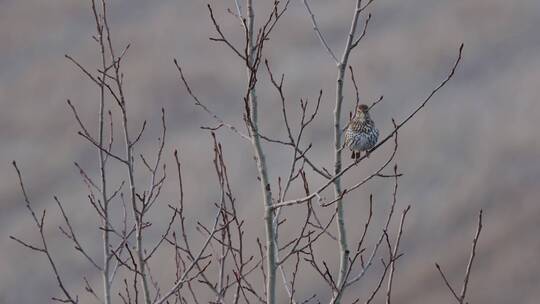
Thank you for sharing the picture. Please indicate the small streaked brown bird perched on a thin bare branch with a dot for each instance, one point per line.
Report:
(361, 134)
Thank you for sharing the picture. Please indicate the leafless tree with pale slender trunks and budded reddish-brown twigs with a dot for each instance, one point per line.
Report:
(221, 268)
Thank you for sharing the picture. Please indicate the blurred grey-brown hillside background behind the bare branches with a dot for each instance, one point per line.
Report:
(475, 145)
